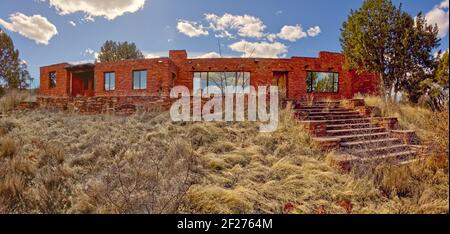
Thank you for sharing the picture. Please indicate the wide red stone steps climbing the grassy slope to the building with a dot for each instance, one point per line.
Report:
(357, 138)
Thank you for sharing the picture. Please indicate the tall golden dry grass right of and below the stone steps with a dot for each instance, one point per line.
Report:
(424, 182)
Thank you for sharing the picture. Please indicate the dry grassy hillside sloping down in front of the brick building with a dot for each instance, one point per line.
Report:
(66, 163)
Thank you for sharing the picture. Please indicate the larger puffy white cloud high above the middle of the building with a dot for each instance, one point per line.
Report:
(245, 25)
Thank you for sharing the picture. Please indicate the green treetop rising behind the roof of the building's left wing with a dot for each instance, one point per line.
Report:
(112, 51)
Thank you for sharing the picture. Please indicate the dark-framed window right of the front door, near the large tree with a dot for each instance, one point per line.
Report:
(322, 82)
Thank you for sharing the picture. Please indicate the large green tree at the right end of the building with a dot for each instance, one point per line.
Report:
(381, 38)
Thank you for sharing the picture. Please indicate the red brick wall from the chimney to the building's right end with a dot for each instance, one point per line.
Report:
(262, 72)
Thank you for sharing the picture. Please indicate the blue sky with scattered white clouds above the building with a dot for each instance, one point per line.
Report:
(53, 31)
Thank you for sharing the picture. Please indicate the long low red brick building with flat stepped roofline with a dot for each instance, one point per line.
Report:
(298, 77)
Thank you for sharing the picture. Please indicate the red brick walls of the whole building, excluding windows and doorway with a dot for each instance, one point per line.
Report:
(178, 69)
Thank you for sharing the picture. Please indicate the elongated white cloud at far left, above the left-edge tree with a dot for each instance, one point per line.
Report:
(35, 27)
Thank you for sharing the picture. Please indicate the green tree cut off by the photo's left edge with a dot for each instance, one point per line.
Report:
(13, 71)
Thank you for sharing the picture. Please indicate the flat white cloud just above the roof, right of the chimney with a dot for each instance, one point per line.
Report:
(259, 49)
